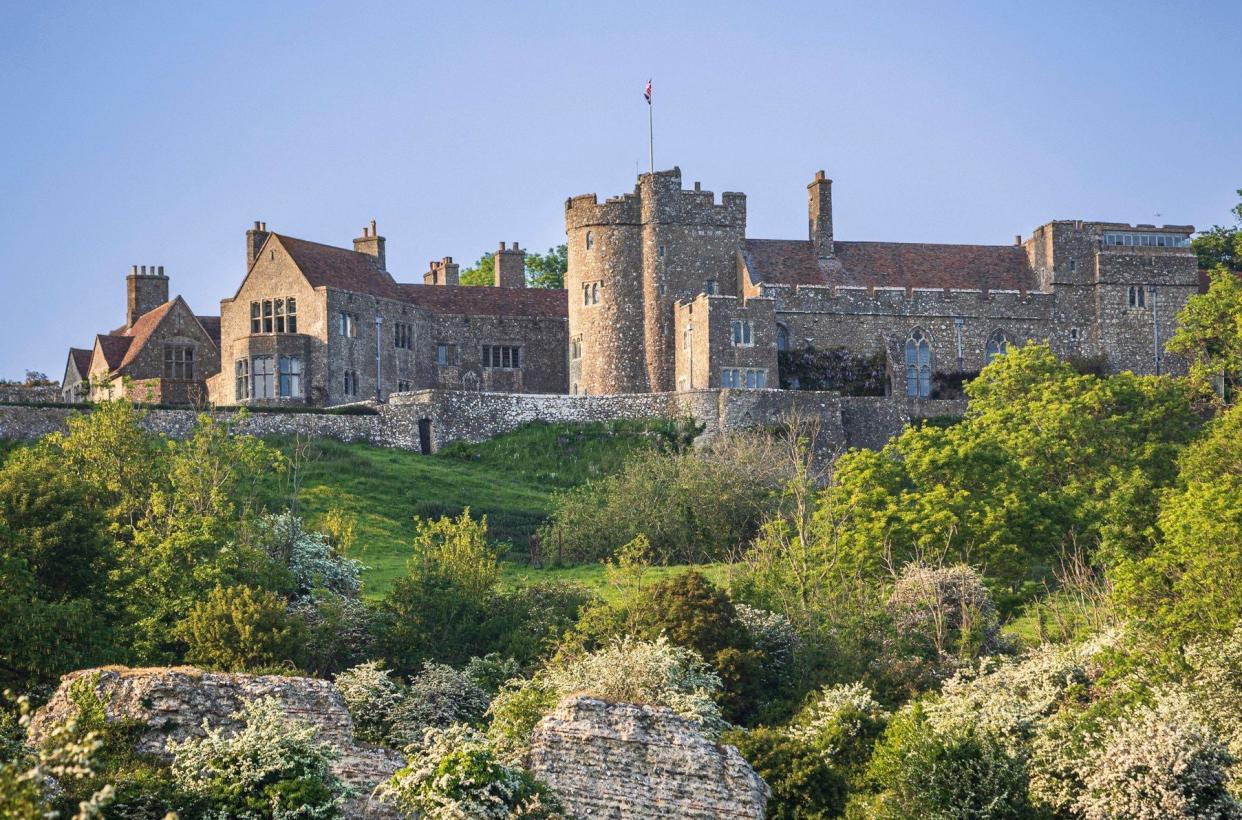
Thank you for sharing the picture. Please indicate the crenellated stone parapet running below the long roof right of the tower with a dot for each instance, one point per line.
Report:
(913, 301)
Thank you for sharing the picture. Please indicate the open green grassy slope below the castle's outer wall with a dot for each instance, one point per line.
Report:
(511, 479)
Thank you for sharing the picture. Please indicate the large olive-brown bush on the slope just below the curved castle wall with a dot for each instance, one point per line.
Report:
(692, 506)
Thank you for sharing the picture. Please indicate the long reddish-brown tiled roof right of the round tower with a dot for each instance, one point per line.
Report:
(892, 265)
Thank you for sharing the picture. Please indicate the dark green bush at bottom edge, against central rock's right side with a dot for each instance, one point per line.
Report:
(805, 786)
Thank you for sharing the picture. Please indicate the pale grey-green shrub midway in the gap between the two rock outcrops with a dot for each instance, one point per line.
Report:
(439, 698)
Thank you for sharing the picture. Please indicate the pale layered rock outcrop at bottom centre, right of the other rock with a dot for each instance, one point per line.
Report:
(627, 761)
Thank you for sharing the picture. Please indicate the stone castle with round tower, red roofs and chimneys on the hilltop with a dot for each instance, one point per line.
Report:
(664, 293)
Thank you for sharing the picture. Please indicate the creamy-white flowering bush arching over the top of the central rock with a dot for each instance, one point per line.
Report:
(627, 672)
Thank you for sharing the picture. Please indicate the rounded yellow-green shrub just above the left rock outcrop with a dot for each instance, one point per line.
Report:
(239, 629)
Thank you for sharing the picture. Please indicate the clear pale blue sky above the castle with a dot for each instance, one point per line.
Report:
(156, 134)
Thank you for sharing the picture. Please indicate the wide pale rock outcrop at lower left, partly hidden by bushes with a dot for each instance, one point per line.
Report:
(175, 703)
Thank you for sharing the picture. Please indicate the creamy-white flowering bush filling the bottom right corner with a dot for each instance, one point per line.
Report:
(1159, 763)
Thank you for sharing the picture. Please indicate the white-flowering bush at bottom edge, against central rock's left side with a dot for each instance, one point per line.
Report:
(455, 775)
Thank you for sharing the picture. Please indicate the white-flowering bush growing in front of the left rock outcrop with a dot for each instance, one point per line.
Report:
(270, 768)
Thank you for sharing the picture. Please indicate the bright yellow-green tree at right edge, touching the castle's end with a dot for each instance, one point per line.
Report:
(1210, 335)
